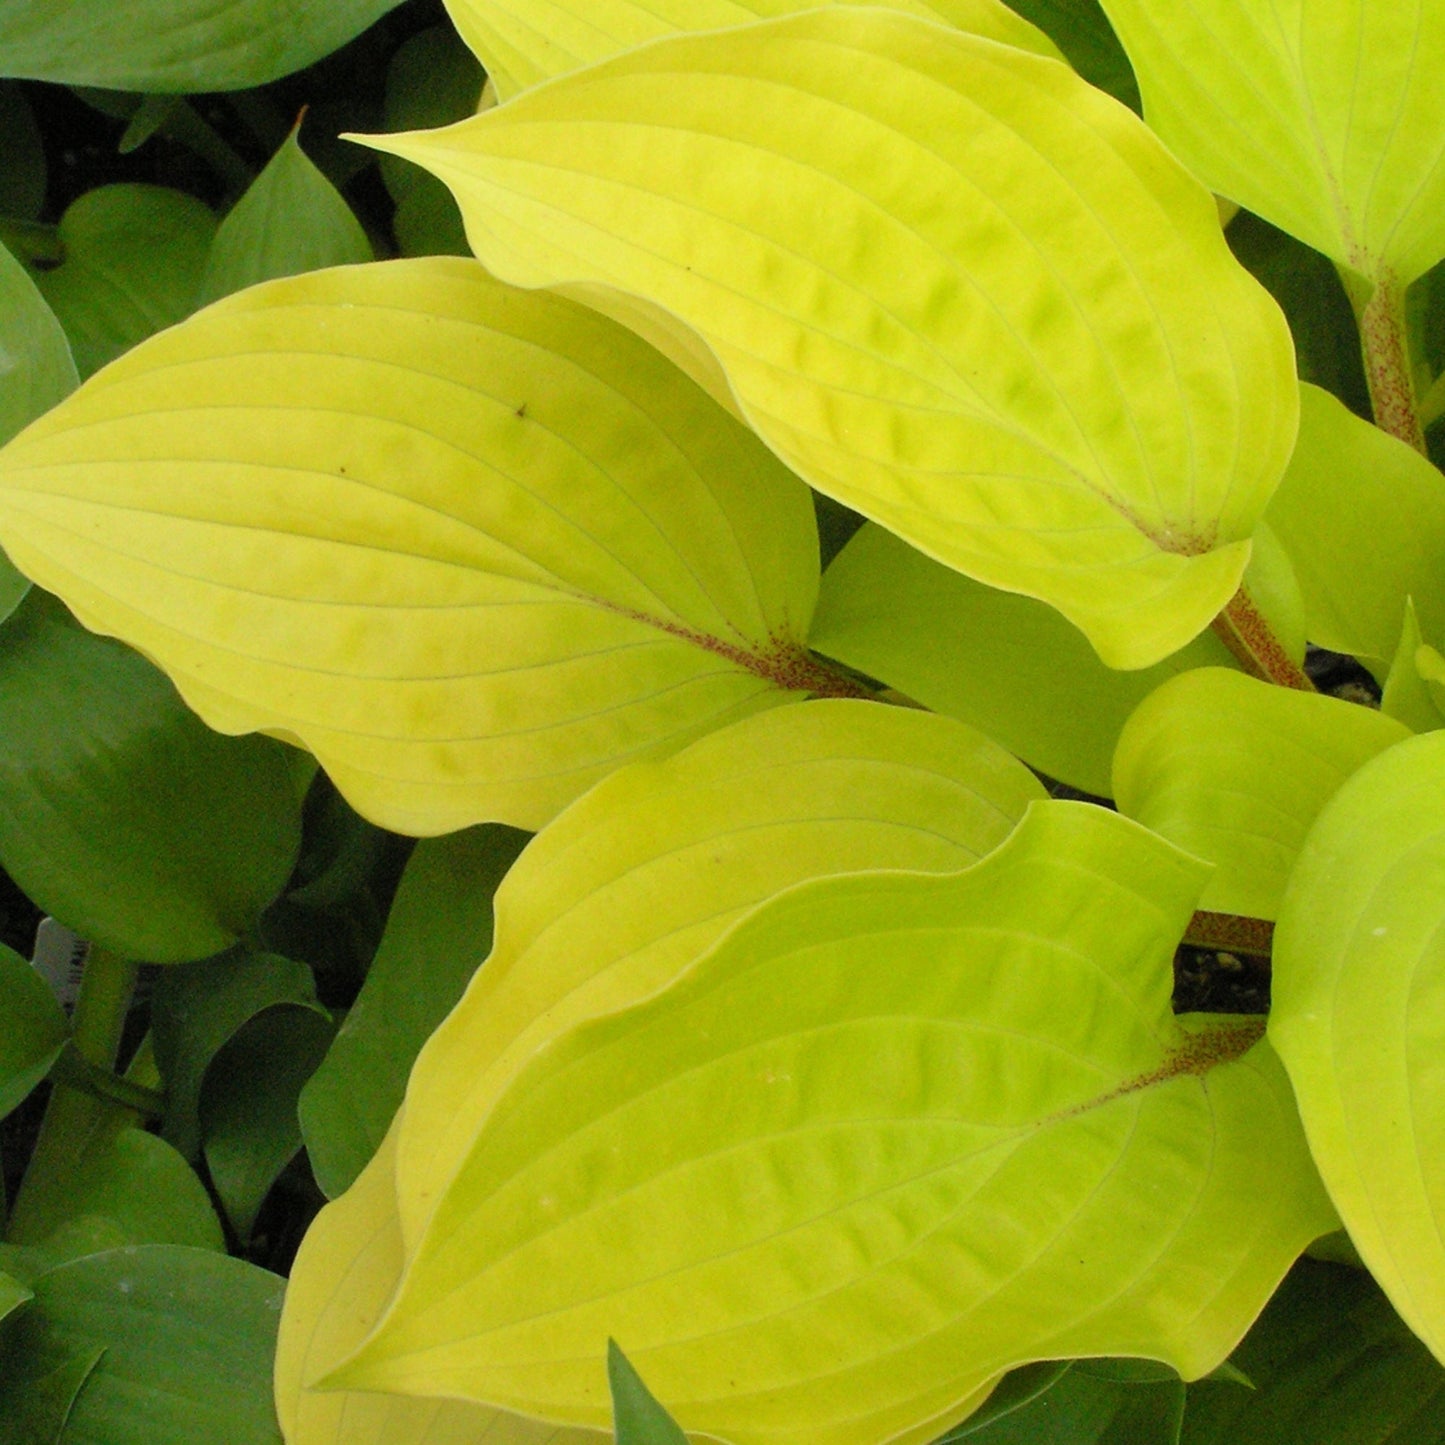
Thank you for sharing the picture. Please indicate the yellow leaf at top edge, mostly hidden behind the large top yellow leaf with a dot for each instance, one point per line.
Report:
(524, 43)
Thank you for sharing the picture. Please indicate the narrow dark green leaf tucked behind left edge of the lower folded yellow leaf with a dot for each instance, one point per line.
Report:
(437, 934)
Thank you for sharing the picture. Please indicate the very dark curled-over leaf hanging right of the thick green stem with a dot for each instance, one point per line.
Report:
(249, 1106)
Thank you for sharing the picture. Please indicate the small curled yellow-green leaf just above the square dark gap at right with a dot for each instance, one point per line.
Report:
(1236, 771)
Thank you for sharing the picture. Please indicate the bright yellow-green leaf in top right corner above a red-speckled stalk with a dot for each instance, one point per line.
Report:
(1319, 115)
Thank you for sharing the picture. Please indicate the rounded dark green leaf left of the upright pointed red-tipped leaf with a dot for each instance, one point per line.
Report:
(134, 261)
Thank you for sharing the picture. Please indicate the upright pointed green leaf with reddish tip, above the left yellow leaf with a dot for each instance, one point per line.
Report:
(291, 220)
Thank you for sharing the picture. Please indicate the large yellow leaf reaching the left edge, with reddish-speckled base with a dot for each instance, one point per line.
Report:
(473, 547)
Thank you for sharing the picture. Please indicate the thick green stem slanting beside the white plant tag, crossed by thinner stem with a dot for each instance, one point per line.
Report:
(74, 1113)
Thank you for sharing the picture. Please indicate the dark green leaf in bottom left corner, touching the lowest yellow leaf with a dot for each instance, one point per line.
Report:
(187, 1339)
